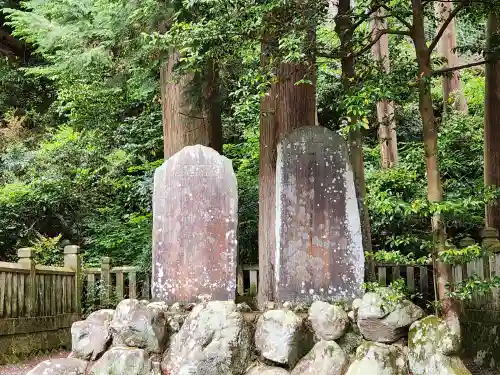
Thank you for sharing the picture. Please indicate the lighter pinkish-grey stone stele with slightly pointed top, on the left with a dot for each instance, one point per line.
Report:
(195, 206)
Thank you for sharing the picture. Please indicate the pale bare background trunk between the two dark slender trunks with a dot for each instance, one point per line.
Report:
(385, 108)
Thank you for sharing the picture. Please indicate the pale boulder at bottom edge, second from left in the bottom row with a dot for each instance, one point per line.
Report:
(121, 361)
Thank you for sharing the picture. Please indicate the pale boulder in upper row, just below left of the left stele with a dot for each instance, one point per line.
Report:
(138, 325)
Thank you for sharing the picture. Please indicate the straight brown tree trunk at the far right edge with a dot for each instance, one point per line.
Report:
(492, 124)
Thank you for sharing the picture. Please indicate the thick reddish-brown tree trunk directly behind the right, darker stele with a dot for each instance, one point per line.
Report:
(287, 106)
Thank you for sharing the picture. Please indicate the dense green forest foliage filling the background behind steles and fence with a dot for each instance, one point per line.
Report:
(81, 120)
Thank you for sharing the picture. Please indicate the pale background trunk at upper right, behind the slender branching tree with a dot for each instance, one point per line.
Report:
(452, 89)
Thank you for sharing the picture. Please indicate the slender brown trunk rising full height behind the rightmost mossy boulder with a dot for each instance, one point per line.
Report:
(434, 186)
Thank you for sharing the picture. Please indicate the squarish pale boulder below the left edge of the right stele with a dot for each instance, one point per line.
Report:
(279, 336)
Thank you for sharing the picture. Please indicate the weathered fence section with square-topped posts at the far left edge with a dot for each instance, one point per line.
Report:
(38, 301)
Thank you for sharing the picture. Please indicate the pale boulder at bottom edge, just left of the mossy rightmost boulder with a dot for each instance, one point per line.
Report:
(378, 359)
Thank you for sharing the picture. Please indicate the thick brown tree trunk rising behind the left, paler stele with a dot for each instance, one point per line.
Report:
(183, 123)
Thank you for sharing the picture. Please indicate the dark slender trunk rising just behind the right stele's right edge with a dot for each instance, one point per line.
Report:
(344, 31)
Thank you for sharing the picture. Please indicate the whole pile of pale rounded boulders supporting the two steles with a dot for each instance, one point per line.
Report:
(374, 335)
